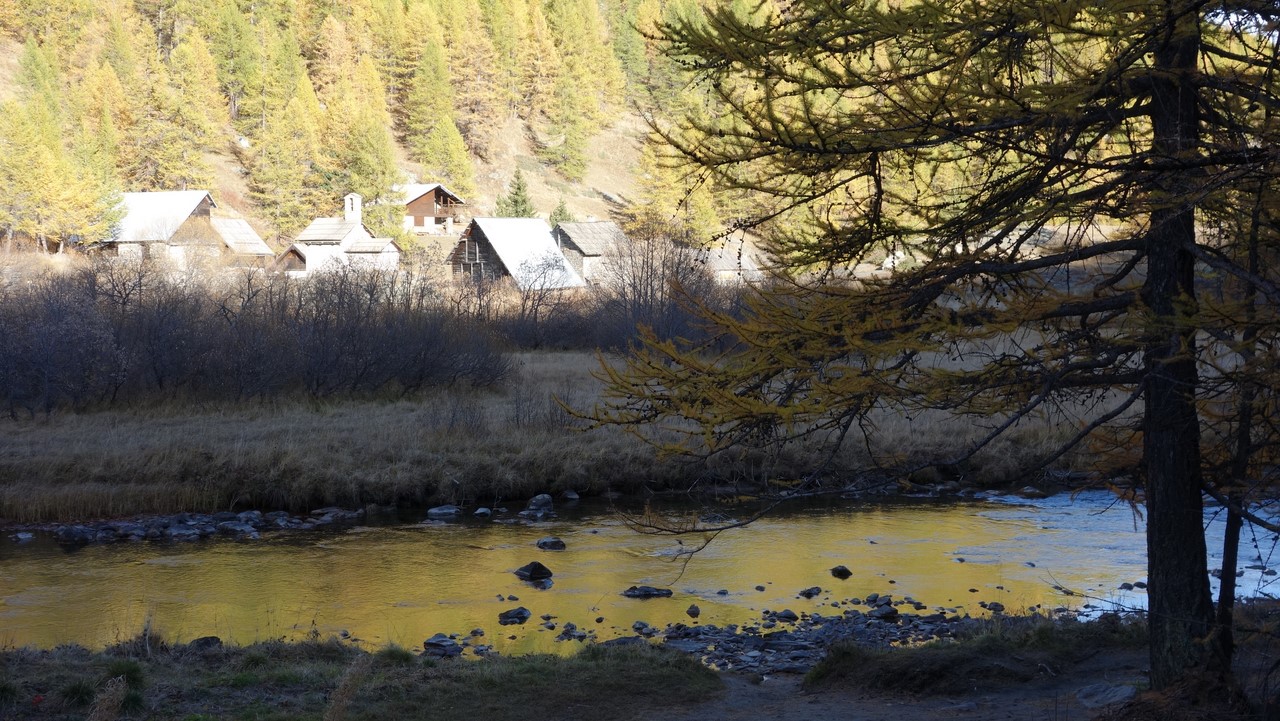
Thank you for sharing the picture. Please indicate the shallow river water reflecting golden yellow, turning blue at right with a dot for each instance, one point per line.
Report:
(403, 582)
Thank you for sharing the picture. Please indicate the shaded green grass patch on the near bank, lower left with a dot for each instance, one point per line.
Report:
(310, 681)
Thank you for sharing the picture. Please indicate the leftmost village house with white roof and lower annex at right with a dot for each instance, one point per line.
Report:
(181, 227)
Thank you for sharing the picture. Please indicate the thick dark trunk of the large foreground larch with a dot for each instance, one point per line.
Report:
(1181, 614)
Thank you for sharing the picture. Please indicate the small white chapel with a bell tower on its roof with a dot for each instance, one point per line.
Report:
(339, 241)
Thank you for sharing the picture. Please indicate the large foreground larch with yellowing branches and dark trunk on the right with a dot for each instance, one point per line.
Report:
(993, 139)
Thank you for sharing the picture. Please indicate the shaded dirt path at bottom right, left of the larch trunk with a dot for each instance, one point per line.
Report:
(1046, 699)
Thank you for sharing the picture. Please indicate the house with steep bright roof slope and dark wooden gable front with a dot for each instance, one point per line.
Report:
(522, 249)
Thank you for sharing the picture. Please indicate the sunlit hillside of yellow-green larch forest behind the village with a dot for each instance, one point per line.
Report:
(309, 99)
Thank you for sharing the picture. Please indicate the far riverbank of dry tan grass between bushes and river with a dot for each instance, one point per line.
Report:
(451, 446)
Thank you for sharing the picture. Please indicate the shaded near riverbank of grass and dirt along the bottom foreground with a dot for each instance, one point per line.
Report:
(1014, 669)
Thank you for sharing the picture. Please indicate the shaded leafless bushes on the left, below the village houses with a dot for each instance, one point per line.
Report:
(121, 332)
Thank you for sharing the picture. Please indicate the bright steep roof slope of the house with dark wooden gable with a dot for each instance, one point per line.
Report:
(528, 252)
